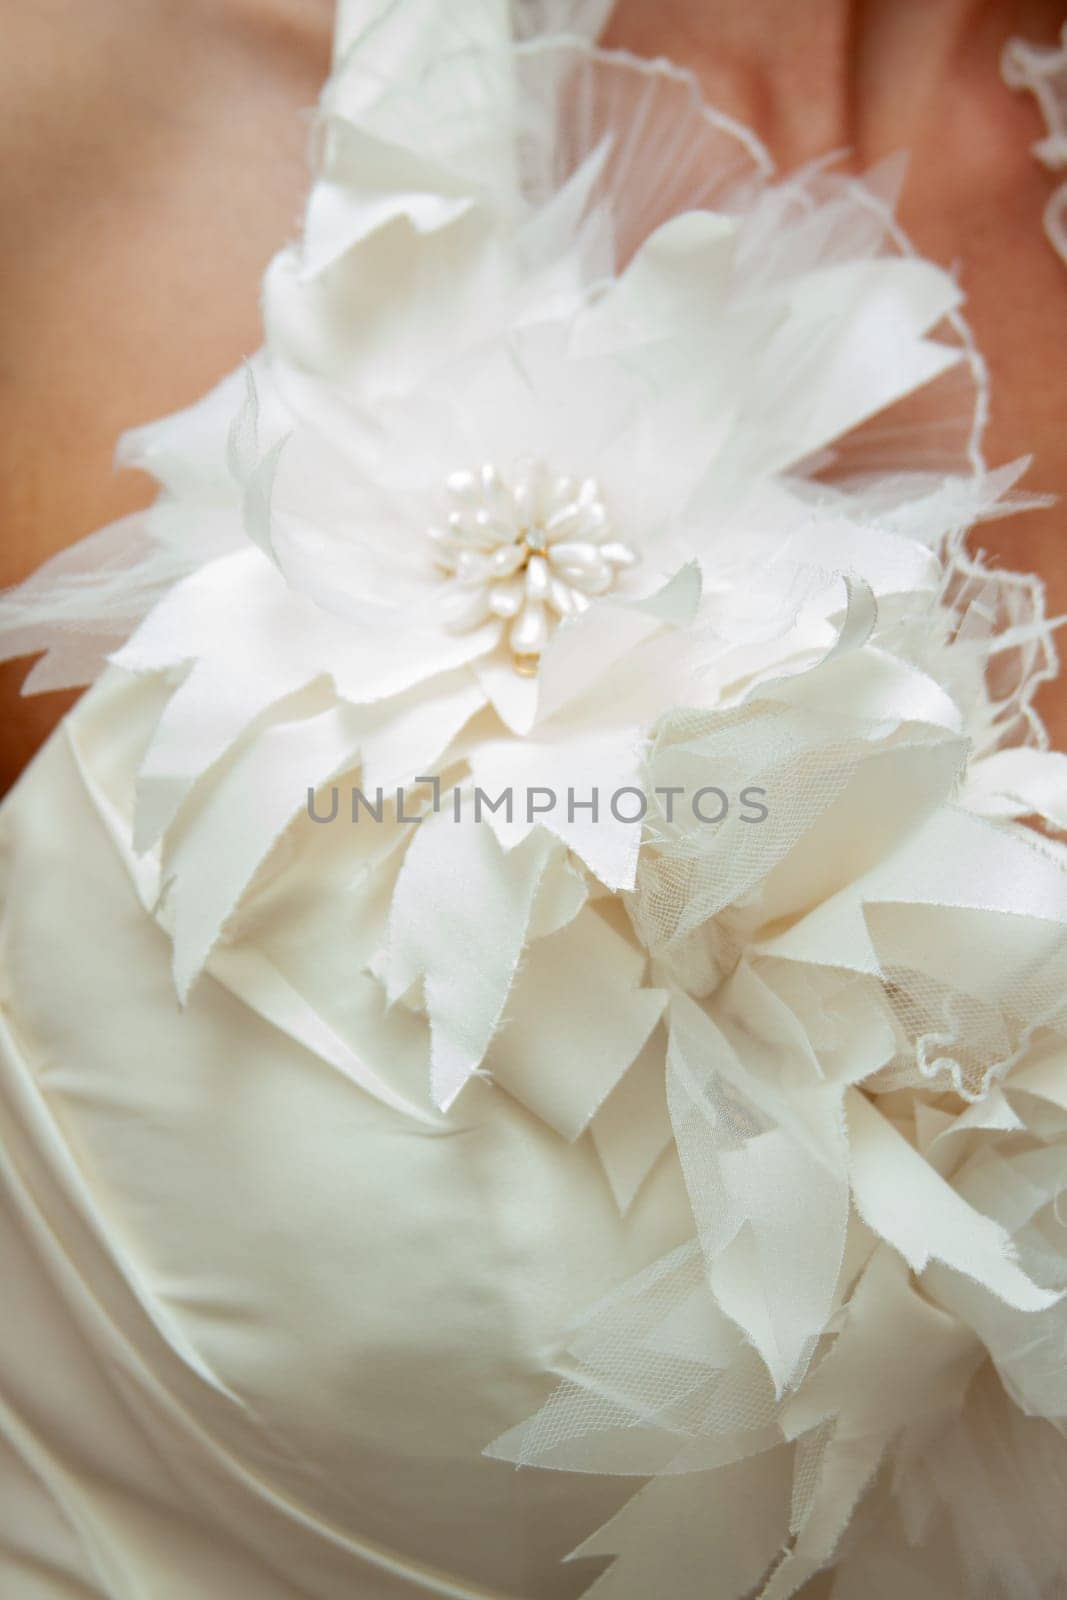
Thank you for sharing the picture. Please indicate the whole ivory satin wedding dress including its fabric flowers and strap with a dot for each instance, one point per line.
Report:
(705, 1166)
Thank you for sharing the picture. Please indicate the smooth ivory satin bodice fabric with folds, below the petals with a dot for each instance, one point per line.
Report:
(260, 1327)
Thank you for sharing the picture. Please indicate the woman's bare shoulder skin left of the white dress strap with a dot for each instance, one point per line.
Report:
(153, 158)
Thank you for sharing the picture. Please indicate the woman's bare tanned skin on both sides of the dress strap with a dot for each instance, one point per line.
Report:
(153, 159)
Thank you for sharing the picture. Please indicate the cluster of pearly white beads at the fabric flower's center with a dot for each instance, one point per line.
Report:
(530, 550)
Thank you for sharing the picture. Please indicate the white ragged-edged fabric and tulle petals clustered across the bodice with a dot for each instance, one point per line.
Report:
(586, 462)
